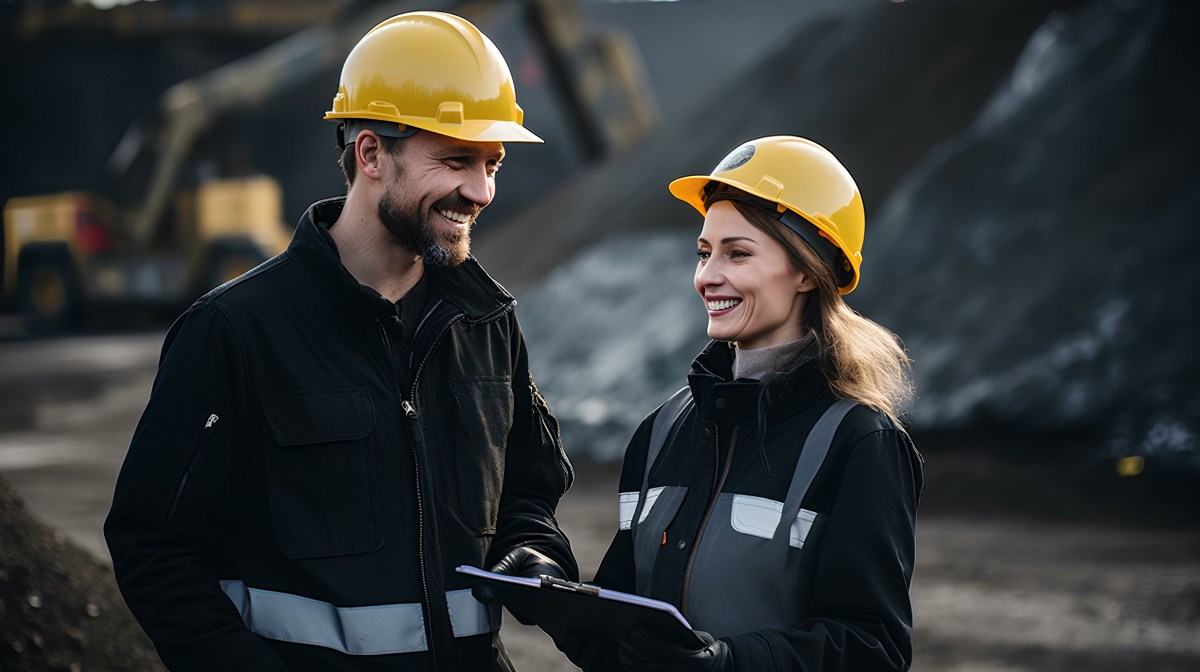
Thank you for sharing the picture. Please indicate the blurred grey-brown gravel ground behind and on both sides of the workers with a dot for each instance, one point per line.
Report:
(1070, 575)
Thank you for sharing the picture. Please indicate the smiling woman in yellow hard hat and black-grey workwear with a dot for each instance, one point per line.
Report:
(779, 508)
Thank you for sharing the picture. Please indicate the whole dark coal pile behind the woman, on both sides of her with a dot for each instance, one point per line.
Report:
(1027, 172)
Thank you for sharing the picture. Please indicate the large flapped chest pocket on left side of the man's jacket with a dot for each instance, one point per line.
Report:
(322, 475)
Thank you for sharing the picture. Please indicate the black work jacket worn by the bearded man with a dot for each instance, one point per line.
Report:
(289, 446)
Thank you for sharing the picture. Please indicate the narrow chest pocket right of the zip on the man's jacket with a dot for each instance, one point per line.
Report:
(482, 436)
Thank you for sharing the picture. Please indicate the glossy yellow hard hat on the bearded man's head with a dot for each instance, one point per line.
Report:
(433, 71)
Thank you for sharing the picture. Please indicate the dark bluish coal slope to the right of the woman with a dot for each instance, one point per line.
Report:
(1039, 265)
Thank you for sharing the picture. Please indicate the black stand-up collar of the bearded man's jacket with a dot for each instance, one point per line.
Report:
(467, 286)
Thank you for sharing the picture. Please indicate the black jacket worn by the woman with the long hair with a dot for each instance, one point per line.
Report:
(856, 566)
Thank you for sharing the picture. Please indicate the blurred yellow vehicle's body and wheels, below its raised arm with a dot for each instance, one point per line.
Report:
(69, 250)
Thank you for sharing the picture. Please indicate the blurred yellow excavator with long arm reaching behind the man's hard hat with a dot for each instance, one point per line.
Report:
(67, 251)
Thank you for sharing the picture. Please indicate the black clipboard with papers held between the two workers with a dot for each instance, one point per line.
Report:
(566, 608)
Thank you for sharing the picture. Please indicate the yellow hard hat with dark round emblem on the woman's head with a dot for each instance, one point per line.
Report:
(793, 176)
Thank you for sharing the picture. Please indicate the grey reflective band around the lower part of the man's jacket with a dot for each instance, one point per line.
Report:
(369, 631)
